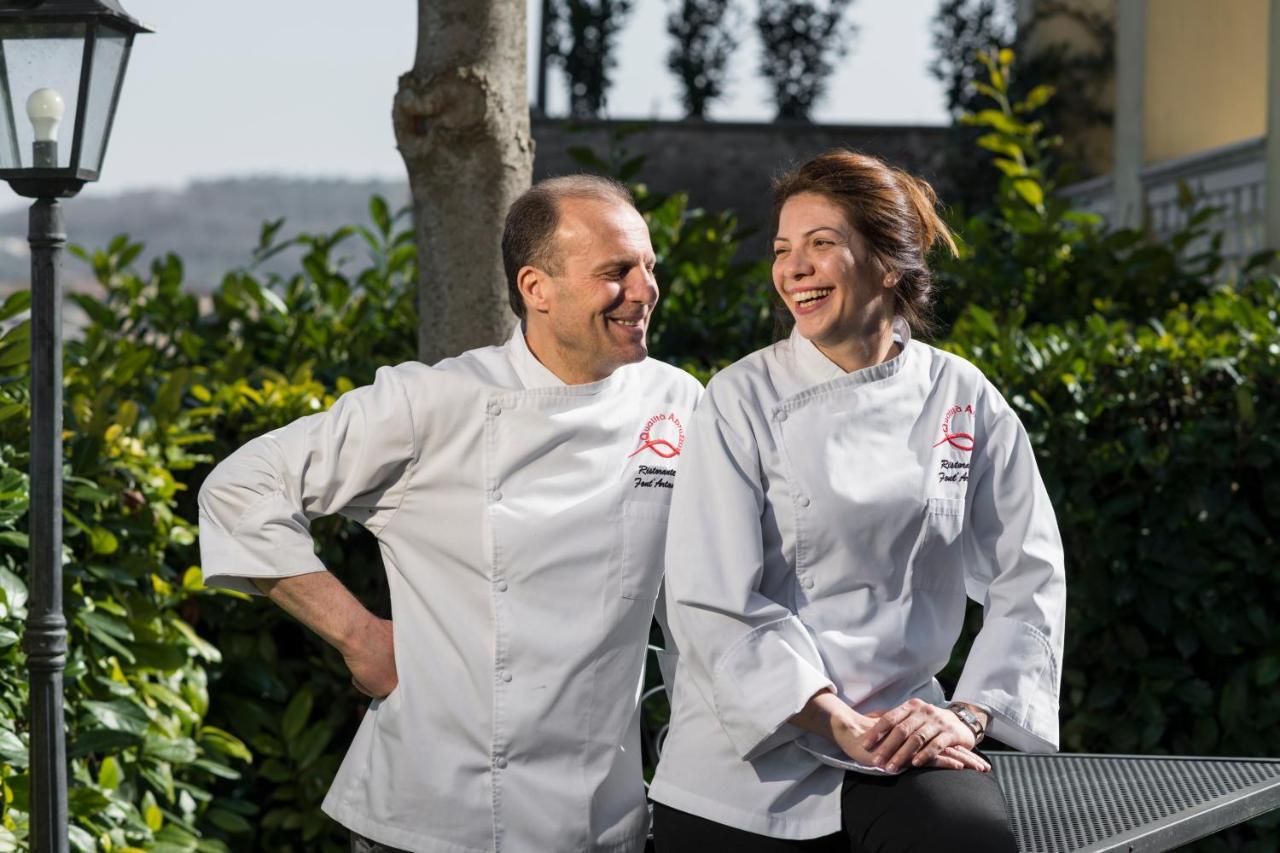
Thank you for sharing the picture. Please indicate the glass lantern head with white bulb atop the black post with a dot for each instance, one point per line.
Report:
(62, 63)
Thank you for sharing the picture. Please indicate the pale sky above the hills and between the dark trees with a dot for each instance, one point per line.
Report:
(305, 88)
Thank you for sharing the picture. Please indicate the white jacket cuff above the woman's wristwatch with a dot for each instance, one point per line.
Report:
(1013, 672)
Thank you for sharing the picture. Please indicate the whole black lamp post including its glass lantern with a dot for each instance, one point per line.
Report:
(62, 62)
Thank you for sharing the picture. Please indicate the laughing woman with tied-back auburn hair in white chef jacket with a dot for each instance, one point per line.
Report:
(840, 495)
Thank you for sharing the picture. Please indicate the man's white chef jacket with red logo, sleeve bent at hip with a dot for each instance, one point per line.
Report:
(522, 526)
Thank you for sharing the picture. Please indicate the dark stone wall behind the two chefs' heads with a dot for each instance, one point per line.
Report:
(728, 166)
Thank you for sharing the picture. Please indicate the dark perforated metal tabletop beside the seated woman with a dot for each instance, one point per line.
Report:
(1080, 802)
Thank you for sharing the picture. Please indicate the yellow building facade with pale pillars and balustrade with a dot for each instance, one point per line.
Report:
(1197, 104)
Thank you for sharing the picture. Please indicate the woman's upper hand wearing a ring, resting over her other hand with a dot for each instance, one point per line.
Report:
(924, 735)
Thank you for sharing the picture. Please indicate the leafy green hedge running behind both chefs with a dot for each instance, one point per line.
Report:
(199, 720)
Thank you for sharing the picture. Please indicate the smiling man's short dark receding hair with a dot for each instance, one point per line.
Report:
(529, 236)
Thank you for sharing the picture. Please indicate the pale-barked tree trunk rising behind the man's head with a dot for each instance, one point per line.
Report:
(463, 126)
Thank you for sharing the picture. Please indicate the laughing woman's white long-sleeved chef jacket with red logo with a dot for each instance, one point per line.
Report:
(824, 535)
